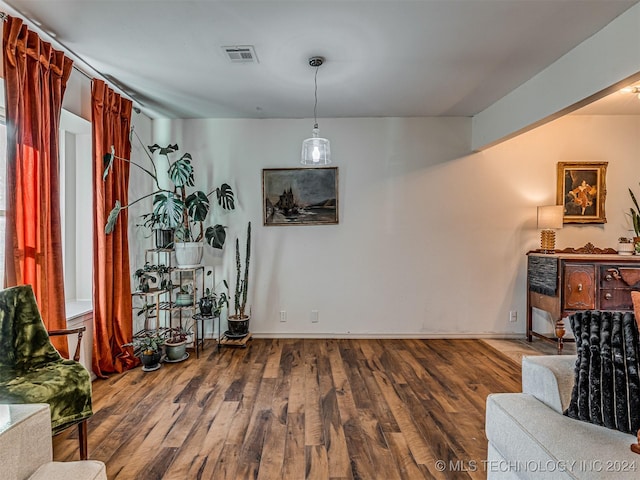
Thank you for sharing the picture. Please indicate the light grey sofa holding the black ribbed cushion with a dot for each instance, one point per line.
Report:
(530, 438)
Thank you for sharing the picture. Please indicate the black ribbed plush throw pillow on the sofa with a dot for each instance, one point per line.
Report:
(607, 379)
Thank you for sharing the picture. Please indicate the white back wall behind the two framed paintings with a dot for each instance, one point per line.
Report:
(431, 241)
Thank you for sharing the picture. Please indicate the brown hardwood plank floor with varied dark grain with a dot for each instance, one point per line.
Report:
(296, 409)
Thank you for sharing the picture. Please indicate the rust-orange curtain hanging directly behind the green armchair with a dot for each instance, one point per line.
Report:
(35, 80)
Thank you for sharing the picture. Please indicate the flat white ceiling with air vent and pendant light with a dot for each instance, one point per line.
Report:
(384, 58)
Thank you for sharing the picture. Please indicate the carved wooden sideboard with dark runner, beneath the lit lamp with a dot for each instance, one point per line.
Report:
(563, 283)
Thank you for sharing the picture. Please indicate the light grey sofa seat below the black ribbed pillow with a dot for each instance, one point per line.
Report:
(535, 442)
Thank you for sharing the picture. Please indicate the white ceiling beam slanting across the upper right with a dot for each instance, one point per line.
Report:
(604, 62)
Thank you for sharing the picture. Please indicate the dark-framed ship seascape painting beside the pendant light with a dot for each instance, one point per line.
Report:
(300, 196)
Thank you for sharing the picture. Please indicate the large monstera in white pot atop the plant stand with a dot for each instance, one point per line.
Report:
(176, 207)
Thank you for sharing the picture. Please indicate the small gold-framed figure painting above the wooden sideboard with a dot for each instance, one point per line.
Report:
(582, 191)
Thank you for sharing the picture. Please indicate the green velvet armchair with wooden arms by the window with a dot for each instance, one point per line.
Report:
(32, 370)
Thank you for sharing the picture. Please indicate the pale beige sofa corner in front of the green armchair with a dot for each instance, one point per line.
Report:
(26, 450)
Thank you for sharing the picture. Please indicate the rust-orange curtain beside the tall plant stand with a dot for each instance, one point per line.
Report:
(111, 119)
